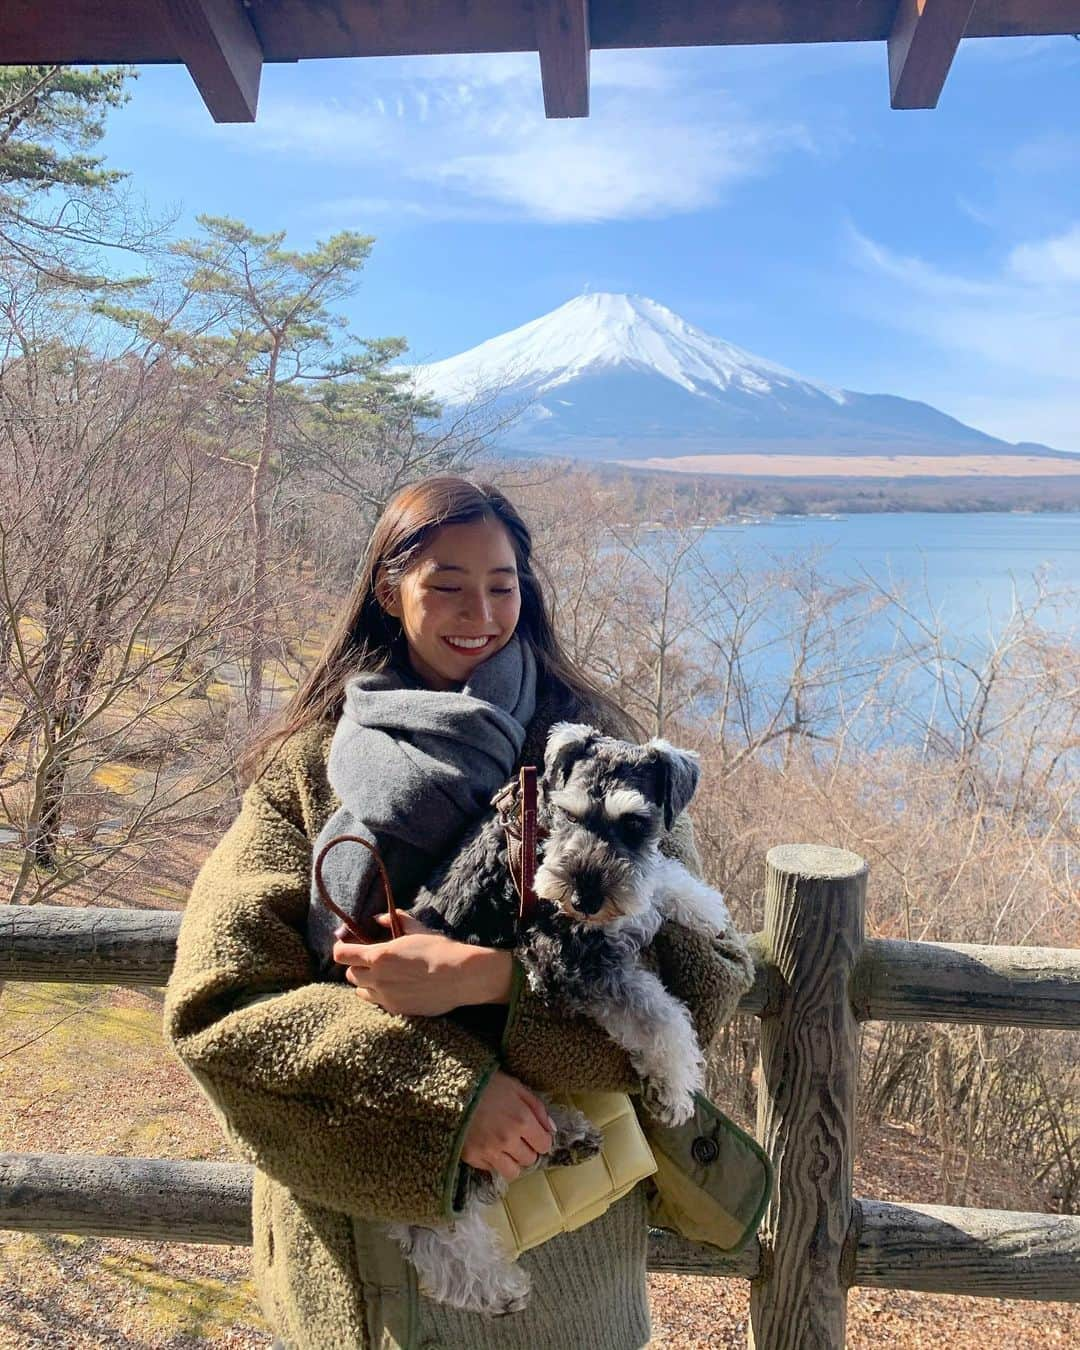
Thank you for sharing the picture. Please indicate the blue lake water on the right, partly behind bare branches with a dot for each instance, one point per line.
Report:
(958, 573)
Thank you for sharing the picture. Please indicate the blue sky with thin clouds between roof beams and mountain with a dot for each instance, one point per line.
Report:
(767, 195)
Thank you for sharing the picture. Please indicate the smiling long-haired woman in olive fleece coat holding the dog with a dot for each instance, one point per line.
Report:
(353, 1096)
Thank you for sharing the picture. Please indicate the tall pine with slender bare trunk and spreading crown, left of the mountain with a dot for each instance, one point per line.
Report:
(256, 322)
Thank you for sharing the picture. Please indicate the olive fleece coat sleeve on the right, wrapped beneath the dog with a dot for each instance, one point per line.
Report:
(553, 1050)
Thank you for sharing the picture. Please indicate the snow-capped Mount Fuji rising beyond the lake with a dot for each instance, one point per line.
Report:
(623, 377)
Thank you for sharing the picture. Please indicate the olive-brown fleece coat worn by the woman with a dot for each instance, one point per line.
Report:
(352, 1114)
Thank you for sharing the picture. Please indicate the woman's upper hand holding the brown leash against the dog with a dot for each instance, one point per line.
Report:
(425, 974)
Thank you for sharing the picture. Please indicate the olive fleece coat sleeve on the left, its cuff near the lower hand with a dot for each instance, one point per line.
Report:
(350, 1108)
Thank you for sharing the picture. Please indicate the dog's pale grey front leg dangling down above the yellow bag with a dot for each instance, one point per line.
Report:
(657, 1032)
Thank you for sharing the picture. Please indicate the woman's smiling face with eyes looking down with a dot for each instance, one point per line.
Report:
(460, 603)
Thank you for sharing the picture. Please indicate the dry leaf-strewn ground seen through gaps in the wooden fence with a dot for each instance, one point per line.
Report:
(84, 1071)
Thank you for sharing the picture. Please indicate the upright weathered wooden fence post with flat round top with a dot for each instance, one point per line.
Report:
(809, 1064)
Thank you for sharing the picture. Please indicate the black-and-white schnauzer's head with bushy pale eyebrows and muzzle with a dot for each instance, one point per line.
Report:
(605, 804)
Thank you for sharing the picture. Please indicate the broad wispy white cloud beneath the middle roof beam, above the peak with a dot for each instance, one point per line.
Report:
(462, 137)
